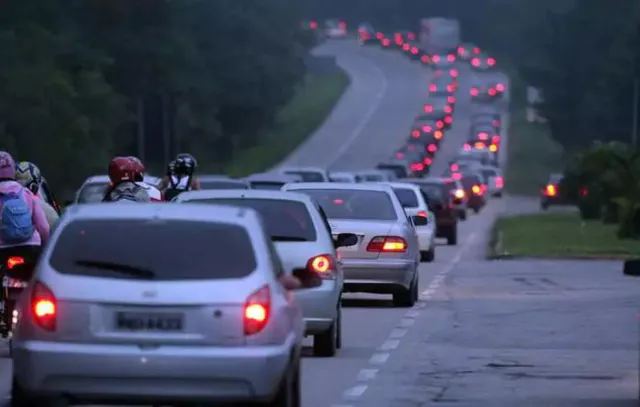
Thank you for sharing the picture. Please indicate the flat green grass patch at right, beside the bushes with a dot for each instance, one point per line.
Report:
(558, 235)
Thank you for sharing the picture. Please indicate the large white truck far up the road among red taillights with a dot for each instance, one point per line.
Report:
(439, 35)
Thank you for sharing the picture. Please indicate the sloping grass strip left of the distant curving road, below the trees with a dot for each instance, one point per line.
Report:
(306, 111)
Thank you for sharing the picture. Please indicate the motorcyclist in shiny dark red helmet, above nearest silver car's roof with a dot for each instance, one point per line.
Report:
(123, 187)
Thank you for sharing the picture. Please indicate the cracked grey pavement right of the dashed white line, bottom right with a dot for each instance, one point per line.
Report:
(522, 333)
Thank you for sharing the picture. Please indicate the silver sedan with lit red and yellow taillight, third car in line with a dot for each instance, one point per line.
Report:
(386, 257)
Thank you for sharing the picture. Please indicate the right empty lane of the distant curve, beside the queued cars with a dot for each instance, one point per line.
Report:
(389, 128)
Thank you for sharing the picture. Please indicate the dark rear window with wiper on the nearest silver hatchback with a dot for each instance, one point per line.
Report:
(152, 249)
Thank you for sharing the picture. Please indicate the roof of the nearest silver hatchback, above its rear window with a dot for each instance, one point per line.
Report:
(197, 212)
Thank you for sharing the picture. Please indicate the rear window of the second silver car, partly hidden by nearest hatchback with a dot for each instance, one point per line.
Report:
(284, 220)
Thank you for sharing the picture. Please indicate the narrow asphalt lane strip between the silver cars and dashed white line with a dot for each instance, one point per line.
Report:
(368, 321)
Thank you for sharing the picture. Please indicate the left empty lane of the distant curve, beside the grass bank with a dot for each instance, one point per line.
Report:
(367, 83)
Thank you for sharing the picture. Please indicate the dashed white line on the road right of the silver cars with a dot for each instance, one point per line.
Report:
(379, 359)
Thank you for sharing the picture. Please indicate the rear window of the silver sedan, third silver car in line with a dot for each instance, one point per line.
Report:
(353, 204)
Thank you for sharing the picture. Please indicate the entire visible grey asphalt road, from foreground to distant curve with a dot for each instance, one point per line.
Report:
(484, 334)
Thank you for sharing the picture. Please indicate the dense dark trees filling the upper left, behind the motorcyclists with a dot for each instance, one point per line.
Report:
(80, 79)
